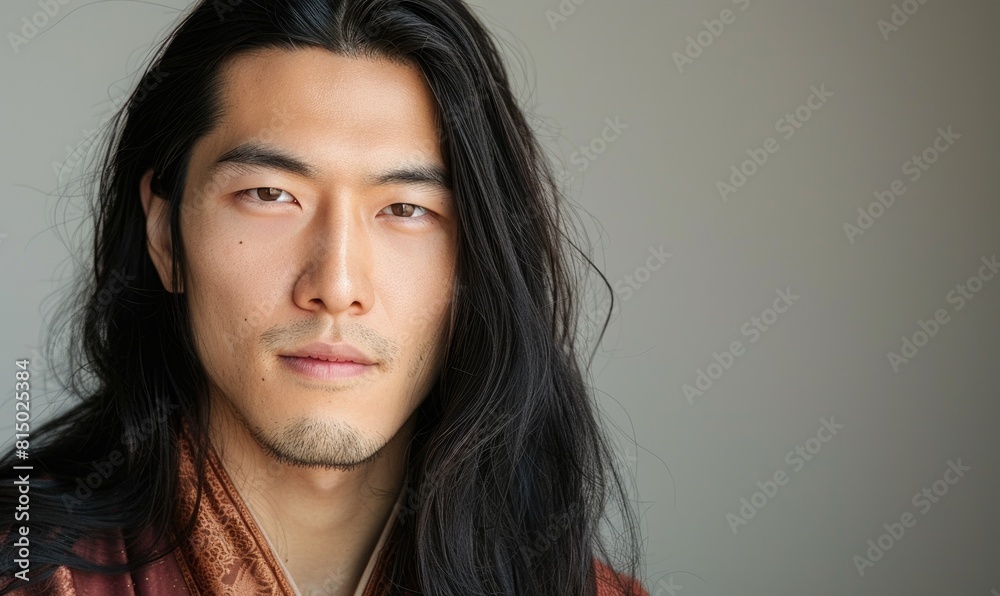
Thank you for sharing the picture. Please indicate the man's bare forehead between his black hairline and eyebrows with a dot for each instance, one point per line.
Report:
(348, 114)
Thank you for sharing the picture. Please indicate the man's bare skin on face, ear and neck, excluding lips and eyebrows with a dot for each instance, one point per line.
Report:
(334, 258)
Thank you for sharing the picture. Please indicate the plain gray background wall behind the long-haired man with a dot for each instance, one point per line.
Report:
(655, 185)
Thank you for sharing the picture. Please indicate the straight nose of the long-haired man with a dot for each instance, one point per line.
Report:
(336, 263)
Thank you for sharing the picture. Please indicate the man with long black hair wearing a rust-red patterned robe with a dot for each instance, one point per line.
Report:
(343, 362)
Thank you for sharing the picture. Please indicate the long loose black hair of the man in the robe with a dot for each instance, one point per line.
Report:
(511, 472)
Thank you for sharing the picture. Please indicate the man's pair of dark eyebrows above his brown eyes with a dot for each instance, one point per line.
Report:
(256, 155)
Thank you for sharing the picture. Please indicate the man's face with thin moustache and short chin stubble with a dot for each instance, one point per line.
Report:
(354, 245)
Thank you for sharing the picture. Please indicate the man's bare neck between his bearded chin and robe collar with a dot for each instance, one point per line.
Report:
(323, 524)
